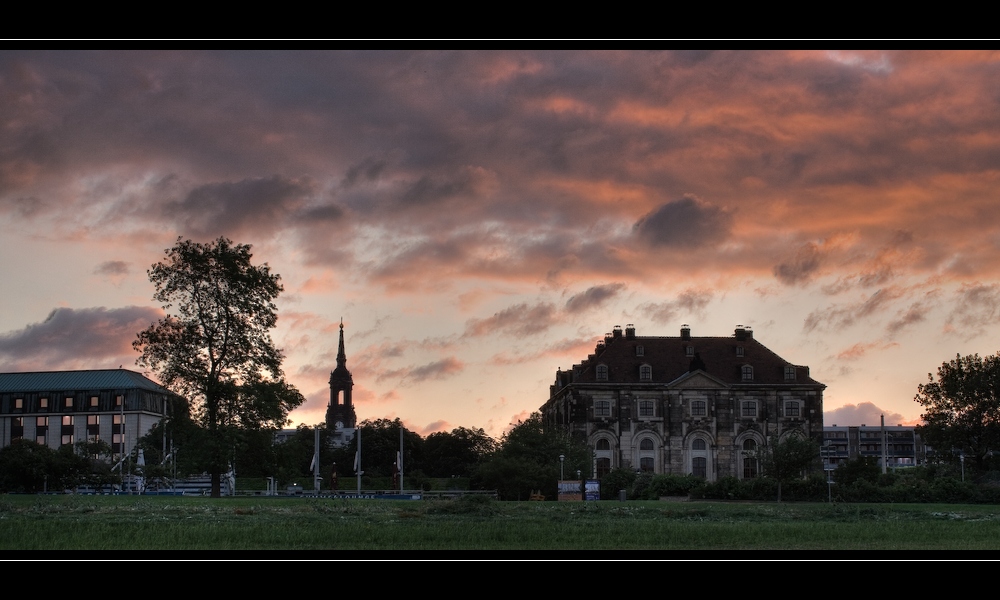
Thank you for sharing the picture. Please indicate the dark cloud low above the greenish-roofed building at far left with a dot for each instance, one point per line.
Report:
(77, 338)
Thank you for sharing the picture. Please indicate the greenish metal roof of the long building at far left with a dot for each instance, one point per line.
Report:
(52, 381)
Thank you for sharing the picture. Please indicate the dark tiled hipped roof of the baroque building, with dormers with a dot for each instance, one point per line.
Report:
(669, 360)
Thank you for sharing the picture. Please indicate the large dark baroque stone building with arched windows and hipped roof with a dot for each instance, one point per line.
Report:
(684, 405)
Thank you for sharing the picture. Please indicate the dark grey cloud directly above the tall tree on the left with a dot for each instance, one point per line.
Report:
(237, 207)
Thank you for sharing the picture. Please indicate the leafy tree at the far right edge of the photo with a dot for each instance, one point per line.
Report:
(962, 408)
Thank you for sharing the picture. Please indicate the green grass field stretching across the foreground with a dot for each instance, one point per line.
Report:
(176, 523)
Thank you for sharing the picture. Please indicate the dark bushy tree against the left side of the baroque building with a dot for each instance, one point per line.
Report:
(528, 459)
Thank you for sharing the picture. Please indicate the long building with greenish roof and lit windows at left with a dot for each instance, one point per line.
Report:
(55, 408)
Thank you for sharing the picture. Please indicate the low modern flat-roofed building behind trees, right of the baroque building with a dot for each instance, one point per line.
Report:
(903, 446)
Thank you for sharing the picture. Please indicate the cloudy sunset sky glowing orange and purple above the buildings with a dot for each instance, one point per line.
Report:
(479, 219)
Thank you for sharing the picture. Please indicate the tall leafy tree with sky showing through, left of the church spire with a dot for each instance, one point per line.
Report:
(216, 350)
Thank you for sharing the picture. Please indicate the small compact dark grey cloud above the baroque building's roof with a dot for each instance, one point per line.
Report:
(686, 223)
